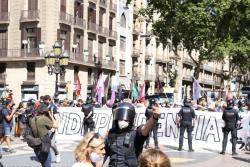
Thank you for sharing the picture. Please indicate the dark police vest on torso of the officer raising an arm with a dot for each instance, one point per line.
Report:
(121, 149)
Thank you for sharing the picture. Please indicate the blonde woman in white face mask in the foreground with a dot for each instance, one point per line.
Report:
(90, 151)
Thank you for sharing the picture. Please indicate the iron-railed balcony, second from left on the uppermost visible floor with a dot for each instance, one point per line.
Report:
(30, 15)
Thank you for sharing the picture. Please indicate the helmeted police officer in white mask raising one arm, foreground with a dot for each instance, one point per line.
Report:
(125, 142)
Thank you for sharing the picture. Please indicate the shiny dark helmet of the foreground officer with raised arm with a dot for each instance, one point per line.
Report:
(125, 111)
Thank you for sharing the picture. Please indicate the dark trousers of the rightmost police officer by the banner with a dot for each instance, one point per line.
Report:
(229, 128)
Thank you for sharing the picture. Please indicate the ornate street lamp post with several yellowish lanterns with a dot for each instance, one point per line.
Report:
(56, 62)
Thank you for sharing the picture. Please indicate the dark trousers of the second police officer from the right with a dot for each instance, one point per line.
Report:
(186, 125)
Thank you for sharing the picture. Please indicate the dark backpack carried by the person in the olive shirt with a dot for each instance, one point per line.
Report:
(41, 145)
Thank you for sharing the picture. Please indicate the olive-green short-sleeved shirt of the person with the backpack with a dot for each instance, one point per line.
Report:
(42, 124)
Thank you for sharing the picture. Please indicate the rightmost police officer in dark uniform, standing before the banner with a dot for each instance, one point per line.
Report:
(230, 117)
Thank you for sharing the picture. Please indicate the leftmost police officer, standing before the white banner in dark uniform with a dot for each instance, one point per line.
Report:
(87, 109)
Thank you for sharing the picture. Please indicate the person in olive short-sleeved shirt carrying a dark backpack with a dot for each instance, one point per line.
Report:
(41, 126)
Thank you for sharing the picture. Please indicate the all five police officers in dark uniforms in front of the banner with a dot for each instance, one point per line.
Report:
(124, 142)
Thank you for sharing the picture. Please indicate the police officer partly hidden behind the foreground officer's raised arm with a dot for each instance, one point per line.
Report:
(148, 115)
